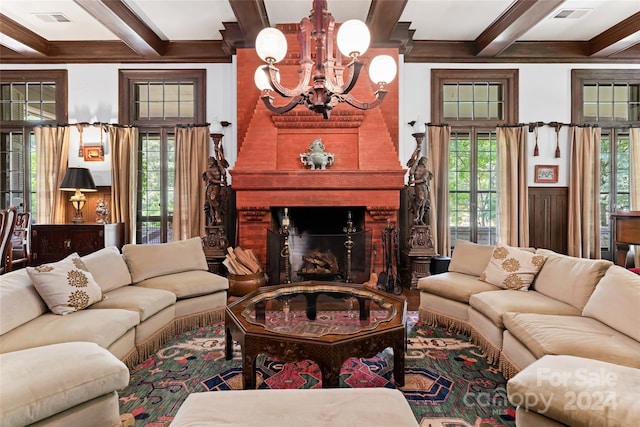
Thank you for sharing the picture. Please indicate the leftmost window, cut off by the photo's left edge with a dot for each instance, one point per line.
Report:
(28, 99)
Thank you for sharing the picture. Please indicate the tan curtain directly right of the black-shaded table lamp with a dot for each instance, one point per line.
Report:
(123, 145)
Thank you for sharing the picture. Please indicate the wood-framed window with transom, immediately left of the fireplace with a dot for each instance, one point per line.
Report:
(156, 101)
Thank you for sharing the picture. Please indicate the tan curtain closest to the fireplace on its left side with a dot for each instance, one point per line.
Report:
(192, 152)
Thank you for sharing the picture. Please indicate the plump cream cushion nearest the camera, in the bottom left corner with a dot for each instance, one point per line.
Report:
(40, 382)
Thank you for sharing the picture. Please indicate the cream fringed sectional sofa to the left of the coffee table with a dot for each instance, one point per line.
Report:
(149, 293)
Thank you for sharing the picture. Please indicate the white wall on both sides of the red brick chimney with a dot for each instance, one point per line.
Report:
(544, 94)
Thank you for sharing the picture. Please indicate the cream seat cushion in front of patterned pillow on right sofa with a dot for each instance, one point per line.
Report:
(494, 304)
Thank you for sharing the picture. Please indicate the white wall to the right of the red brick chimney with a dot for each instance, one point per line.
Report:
(544, 95)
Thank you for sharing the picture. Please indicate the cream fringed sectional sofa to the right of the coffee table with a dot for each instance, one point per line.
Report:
(587, 309)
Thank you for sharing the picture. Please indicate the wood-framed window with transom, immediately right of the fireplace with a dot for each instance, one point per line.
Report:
(473, 102)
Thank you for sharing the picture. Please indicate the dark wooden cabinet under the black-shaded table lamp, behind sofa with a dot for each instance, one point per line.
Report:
(53, 242)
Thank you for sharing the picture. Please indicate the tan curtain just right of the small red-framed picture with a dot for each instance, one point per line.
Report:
(584, 192)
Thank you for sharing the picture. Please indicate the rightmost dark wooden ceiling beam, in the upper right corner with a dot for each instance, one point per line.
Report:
(620, 37)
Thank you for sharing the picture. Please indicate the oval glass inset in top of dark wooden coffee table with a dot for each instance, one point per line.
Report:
(318, 310)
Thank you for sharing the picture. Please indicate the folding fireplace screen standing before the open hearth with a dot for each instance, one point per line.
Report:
(321, 257)
